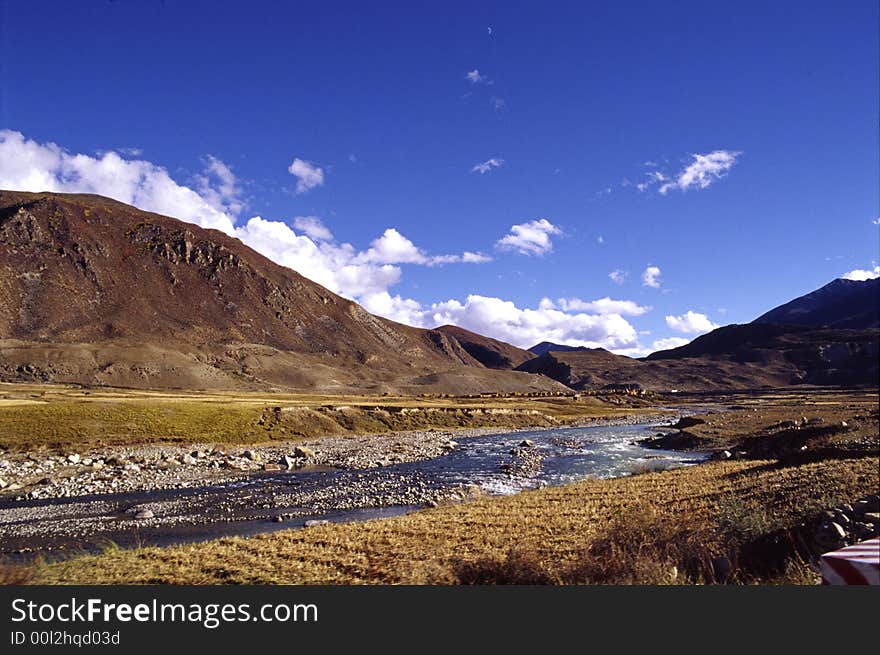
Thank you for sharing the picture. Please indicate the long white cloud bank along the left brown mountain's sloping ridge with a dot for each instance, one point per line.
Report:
(26, 165)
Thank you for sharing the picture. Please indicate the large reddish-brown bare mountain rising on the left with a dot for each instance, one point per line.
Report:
(94, 291)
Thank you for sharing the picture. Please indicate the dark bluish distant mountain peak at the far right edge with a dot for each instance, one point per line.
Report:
(848, 304)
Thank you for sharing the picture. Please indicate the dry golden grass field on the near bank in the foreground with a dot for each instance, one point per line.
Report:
(655, 528)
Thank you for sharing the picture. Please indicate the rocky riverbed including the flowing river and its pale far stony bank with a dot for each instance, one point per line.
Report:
(170, 494)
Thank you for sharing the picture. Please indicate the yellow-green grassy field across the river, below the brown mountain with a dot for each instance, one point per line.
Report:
(49, 416)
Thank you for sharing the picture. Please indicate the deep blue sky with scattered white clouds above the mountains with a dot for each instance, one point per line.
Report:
(731, 145)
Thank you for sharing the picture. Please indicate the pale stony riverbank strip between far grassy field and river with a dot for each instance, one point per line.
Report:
(40, 475)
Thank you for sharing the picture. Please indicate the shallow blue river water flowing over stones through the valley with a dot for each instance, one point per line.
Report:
(493, 463)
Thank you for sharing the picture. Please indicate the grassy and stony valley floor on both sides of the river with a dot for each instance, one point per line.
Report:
(753, 518)
